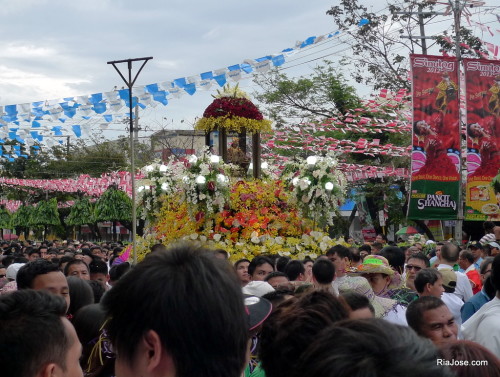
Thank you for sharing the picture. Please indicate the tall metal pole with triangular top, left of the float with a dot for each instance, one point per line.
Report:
(130, 83)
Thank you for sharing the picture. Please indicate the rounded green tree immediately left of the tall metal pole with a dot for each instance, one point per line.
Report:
(114, 205)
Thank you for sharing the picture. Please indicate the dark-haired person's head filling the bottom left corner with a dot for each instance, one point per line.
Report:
(36, 338)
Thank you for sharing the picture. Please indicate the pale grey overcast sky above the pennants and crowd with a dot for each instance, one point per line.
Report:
(58, 48)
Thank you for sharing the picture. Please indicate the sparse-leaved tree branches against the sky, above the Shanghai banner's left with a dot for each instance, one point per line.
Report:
(379, 54)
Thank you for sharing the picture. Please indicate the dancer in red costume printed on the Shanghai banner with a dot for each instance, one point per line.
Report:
(436, 151)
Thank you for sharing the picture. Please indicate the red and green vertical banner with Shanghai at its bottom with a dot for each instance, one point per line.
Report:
(435, 160)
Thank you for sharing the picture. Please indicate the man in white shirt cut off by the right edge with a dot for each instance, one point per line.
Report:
(484, 326)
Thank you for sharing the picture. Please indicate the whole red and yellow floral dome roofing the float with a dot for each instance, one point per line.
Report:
(232, 110)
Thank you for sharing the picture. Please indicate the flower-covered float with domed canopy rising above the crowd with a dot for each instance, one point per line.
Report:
(206, 199)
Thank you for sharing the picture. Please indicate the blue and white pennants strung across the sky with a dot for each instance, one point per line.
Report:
(46, 122)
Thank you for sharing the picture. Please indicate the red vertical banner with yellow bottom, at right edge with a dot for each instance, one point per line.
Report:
(482, 95)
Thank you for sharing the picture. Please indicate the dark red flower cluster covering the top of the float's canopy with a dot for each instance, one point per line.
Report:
(231, 106)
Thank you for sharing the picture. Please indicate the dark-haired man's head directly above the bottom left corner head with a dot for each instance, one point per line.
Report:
(42, 275)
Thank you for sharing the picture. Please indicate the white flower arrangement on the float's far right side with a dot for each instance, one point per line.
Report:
(317, 186)
